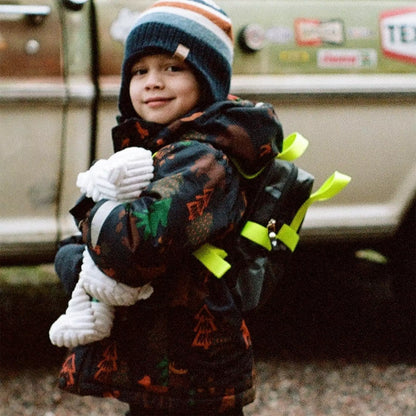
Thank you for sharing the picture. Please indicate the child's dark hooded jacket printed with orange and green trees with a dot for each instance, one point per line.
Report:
(187, 348)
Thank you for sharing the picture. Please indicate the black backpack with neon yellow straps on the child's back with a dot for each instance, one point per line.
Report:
(259, 250)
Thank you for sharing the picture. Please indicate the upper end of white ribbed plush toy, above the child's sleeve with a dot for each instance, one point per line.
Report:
(122, 177)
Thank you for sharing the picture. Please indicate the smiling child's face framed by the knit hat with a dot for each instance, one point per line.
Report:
(163, 88)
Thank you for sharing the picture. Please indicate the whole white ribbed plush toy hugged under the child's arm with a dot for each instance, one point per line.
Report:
(90, 312)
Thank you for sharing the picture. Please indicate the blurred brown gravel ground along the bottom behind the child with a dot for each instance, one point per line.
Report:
(335, 387)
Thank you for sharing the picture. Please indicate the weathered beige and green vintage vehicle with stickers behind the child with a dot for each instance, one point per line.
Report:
(341, 72)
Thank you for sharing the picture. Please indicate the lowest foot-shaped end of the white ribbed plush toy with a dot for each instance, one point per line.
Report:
(84, 321)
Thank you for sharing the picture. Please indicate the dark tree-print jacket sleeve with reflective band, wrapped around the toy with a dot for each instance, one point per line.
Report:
(194, 196)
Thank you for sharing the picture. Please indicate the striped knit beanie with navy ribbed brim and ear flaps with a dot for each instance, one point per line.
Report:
(197, 31)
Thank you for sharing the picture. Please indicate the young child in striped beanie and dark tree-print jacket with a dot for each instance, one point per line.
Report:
(186, 349)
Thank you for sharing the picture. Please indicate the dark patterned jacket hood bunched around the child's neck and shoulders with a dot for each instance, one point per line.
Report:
(250, 134)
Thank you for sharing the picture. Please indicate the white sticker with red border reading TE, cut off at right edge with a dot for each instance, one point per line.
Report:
(398, 34)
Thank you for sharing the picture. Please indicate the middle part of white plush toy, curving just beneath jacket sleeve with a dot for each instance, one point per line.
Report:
(107, 290)
